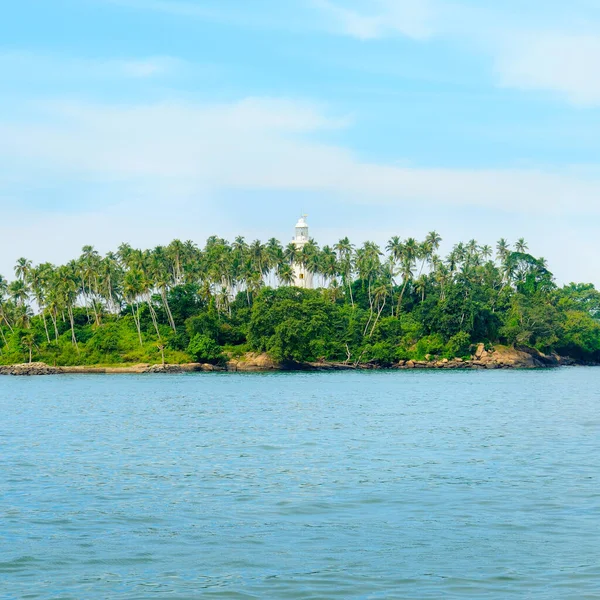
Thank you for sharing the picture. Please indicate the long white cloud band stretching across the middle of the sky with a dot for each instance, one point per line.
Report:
(263, 144)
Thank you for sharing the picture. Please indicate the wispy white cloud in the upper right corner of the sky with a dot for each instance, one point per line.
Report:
(531, 47)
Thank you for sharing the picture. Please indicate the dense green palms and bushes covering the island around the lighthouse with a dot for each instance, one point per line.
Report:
(180, 303)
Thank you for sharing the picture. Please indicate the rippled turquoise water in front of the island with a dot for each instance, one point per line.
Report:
(411, 485)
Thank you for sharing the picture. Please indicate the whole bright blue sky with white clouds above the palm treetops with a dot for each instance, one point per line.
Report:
(142, 121)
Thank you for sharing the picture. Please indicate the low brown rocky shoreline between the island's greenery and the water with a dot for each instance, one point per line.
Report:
(498, 358)
